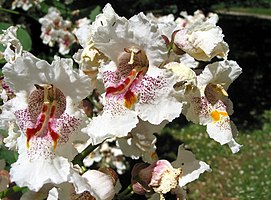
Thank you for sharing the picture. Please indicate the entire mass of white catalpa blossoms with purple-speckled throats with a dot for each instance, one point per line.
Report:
(148, 74)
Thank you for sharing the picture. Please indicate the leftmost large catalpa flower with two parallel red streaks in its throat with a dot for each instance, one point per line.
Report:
(46, 111)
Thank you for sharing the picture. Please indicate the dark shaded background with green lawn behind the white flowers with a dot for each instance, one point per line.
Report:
(246, 25)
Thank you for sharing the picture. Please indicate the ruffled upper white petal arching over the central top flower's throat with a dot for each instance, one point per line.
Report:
(116, 33)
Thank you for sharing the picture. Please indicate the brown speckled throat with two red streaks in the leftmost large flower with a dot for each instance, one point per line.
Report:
(46, 103)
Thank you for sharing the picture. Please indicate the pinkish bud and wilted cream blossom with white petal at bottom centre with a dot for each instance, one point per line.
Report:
(162, 176)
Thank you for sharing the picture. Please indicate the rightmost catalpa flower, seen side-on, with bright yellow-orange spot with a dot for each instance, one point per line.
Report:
(209, 104)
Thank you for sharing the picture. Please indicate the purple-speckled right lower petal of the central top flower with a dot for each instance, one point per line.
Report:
(156, 102)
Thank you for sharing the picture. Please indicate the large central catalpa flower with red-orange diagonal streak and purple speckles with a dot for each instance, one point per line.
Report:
(135, 86)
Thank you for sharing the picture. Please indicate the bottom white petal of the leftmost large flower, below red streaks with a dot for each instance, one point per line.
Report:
(36, 168)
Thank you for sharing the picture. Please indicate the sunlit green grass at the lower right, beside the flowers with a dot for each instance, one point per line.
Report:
(245, 175)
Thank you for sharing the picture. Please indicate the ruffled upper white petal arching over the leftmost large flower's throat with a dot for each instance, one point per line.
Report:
(29, 70)
